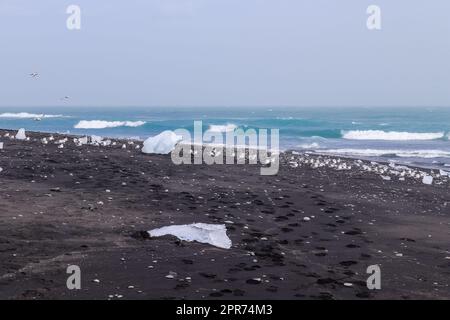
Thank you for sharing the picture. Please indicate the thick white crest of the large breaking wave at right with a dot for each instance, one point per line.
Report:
(390, 135)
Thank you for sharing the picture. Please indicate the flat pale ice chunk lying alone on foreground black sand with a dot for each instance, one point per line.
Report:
(214, 234)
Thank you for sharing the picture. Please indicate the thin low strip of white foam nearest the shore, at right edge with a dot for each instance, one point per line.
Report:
(398, 153)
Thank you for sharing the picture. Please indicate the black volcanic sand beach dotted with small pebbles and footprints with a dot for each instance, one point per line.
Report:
(56, 211)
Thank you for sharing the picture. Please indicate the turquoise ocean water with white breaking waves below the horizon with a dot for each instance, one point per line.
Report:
(419, 136)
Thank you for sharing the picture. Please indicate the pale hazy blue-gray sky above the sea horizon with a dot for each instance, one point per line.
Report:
(225, 53)
